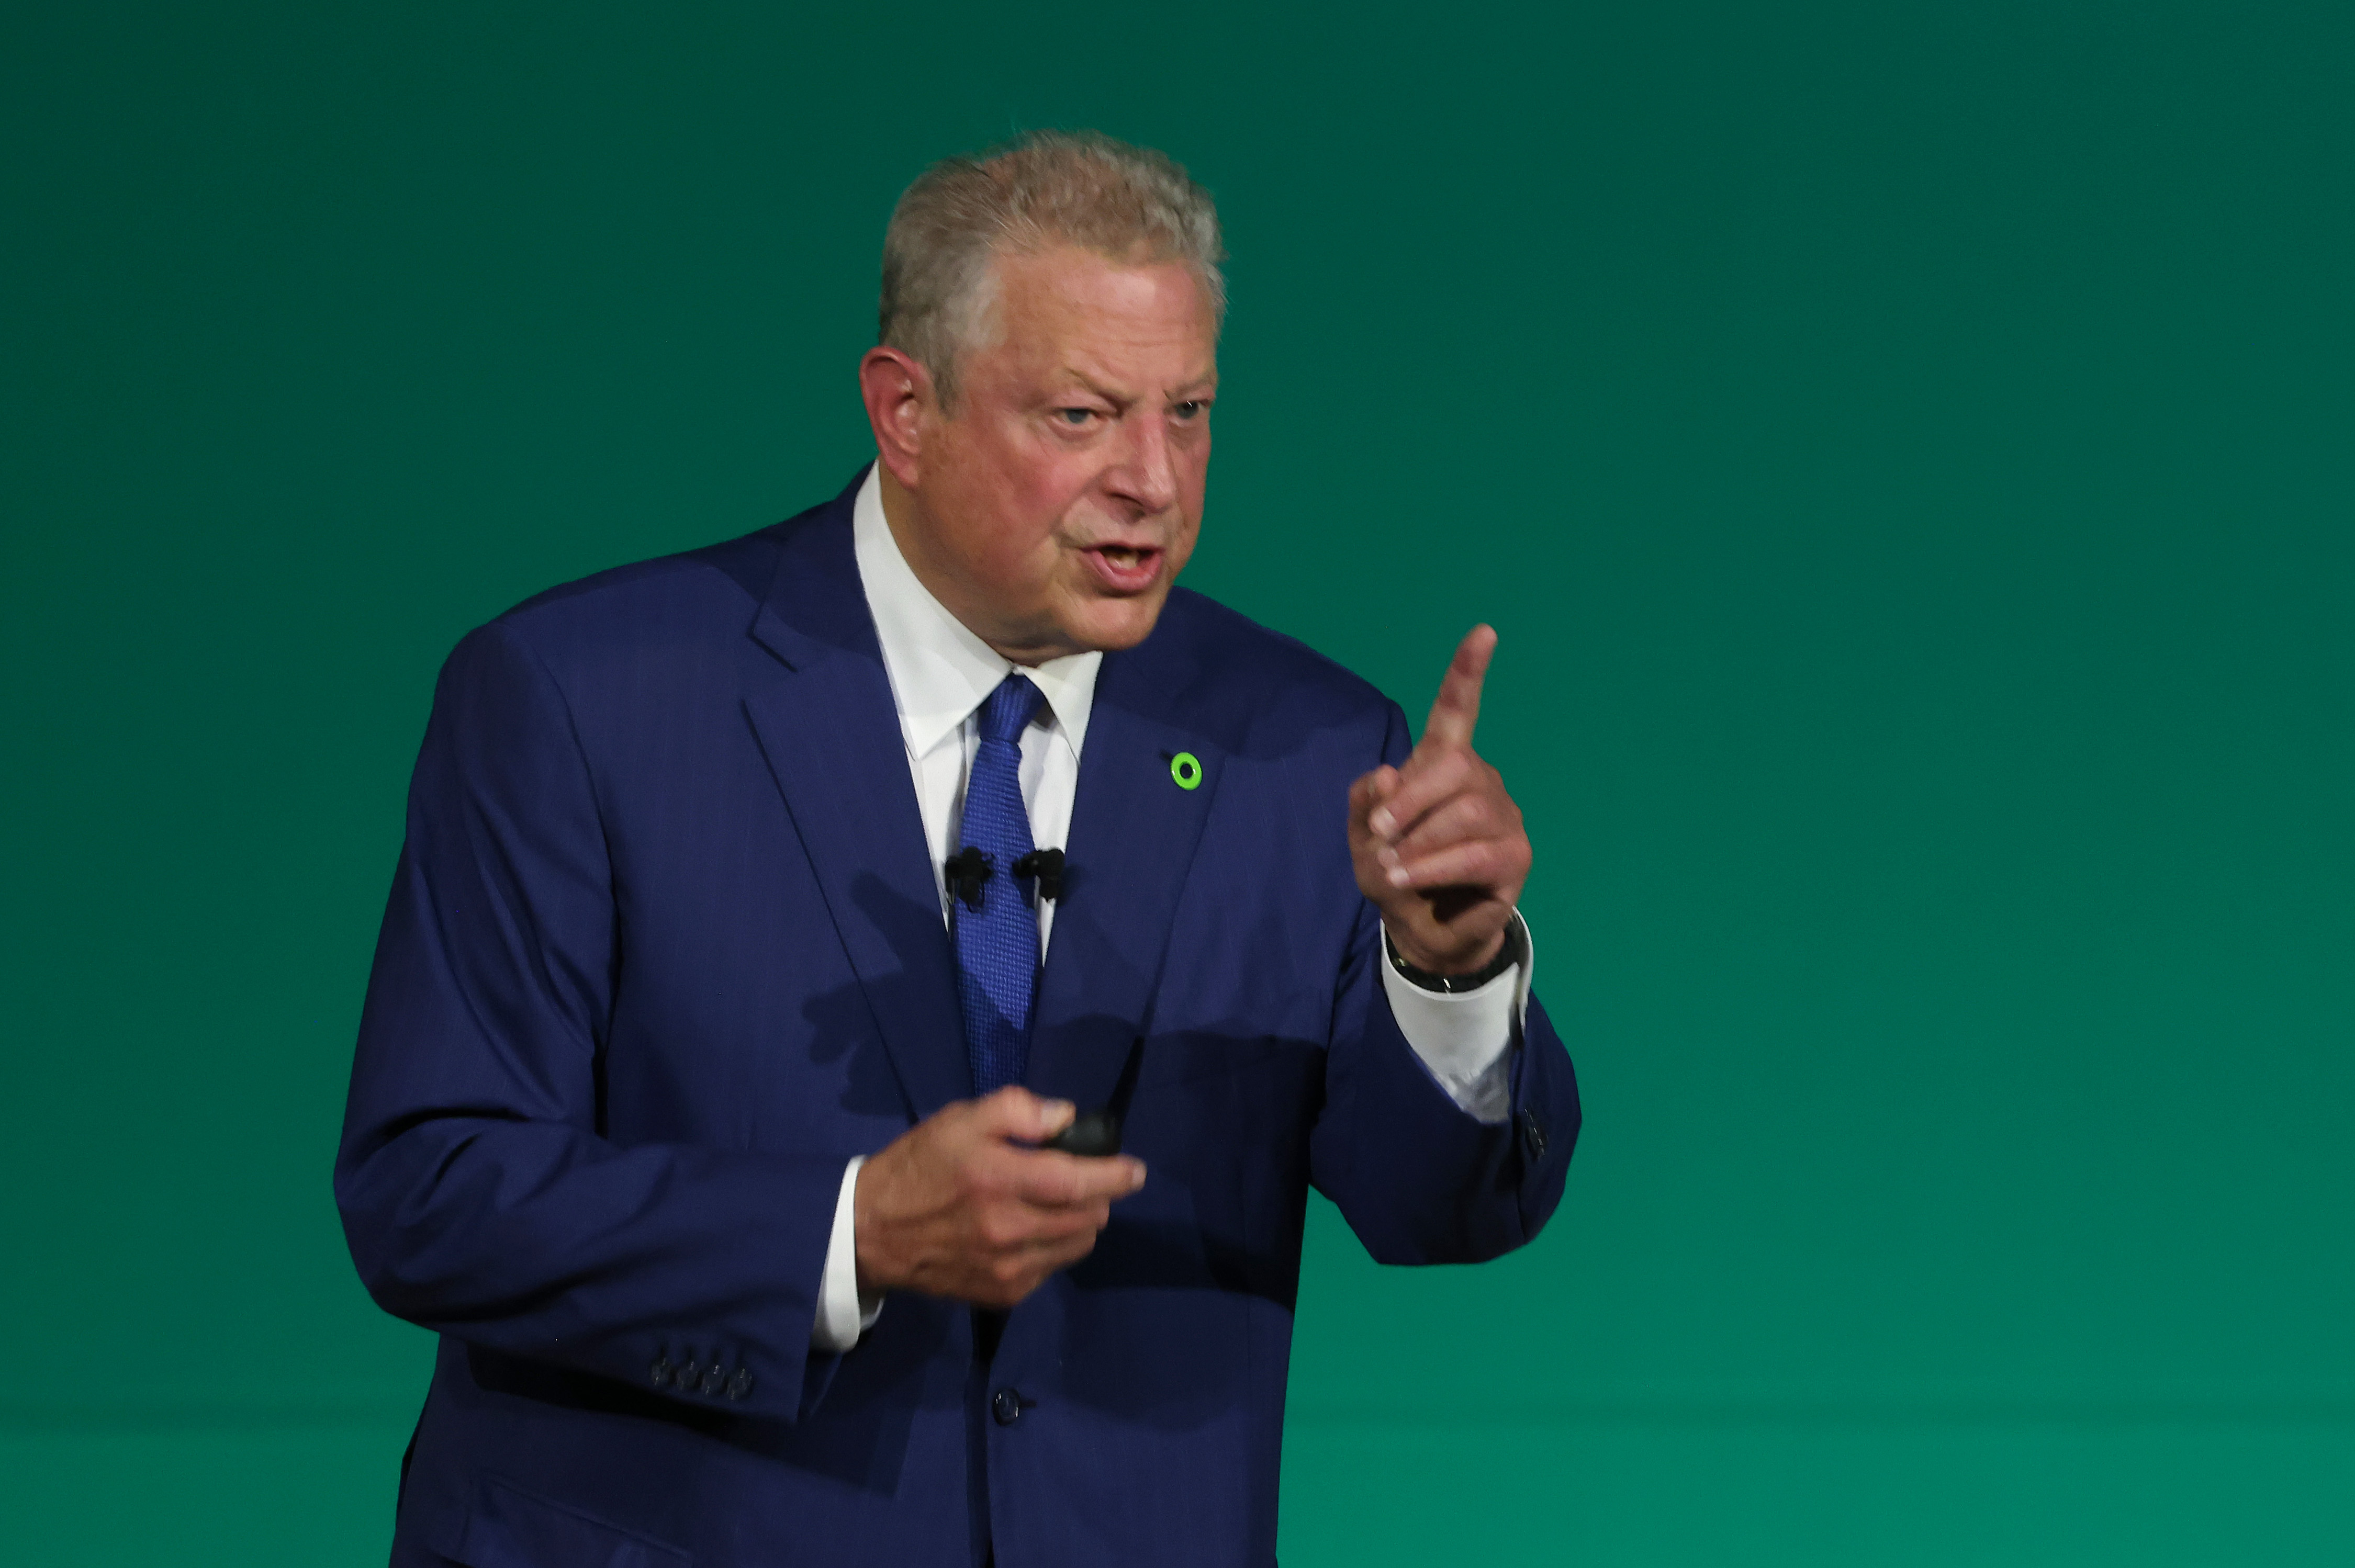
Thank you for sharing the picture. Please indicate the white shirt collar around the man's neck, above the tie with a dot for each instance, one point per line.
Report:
(938, 670)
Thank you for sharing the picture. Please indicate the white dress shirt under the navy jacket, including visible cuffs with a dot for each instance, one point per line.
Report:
(938, 679)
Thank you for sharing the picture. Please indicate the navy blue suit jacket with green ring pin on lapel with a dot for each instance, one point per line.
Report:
(665, 950)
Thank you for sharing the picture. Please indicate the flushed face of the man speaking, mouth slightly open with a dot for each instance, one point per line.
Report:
(1056, 507)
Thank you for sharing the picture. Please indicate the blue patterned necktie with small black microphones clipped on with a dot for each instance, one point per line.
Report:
(997, 945)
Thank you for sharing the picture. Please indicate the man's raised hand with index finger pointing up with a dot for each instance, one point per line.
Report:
(1440, 844)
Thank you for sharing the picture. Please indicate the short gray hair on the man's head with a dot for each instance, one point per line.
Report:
(1028, 197)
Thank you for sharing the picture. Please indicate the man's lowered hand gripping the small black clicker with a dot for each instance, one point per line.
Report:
(962, 1207)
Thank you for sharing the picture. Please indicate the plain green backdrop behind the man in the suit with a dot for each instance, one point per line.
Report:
(1906, 451)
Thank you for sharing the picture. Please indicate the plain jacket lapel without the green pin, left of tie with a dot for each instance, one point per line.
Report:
(828, 726)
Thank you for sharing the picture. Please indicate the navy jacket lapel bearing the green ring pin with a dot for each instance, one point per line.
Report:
(1134, 837)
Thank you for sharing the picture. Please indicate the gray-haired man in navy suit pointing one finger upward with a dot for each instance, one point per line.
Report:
(769, 910)
